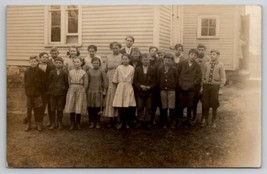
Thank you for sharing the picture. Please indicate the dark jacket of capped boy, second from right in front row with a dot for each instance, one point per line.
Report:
(189, 77)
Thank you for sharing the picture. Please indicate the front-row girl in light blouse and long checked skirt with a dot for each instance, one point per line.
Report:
(76, 96)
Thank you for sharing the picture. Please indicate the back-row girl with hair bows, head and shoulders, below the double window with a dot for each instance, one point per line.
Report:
(72, 54)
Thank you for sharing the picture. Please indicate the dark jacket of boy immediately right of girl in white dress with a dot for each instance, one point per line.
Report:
(148, 79)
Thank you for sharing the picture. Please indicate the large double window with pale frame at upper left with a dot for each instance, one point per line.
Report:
(63, 25)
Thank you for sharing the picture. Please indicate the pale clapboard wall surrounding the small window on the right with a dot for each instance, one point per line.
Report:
(228, 23)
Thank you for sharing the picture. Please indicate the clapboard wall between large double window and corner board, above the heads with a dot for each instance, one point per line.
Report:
(102, 25)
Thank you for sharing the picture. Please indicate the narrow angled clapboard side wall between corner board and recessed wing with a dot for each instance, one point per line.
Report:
(165, 27)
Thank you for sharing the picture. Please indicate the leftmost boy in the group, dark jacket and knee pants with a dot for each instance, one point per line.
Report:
(34, 86)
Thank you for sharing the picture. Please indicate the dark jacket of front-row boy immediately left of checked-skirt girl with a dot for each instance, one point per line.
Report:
(58, 84)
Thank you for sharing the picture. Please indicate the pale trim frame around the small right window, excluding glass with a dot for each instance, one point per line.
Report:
(199, 27)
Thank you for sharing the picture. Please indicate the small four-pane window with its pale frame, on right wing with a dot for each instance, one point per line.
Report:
(208, 27)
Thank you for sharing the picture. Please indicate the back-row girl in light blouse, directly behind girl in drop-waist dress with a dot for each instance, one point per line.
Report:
(92, 49)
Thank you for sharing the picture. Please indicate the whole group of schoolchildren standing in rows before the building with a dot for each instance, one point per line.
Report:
(128, 85)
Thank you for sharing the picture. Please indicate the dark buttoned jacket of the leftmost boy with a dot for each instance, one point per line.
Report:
(34, 80)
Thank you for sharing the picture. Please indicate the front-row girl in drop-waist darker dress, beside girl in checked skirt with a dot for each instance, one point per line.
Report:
(97, 87)
